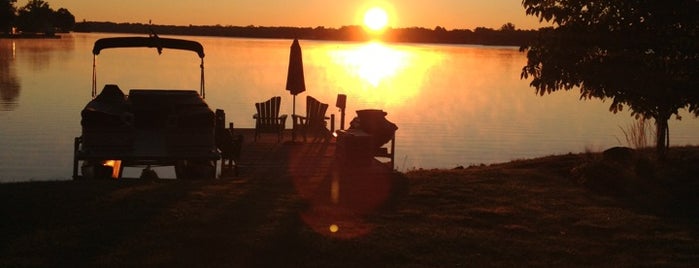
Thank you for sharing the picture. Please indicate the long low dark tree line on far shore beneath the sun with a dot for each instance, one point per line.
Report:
(507, 35)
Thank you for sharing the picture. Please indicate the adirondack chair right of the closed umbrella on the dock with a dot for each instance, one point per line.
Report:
(314, 122)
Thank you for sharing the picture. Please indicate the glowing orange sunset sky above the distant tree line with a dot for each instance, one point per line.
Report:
(452, 14)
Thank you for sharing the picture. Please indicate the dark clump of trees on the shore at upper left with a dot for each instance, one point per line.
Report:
(35, 17)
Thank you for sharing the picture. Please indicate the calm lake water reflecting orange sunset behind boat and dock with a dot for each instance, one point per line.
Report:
(454, 104)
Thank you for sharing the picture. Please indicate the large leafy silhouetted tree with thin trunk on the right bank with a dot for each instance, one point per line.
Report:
(638, 53)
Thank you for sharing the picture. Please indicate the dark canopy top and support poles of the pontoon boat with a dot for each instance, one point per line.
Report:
(152, 41)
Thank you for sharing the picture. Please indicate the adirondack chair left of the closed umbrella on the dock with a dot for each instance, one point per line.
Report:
(267, 118)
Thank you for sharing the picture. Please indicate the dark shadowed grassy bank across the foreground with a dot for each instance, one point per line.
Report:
(571, 210)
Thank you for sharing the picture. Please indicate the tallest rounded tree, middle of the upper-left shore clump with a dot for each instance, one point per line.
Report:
(35, 16)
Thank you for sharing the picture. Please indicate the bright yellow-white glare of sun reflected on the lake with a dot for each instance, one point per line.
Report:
(382, 74)
